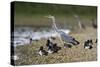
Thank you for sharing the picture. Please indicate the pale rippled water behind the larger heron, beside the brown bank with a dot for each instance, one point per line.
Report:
(22, 35)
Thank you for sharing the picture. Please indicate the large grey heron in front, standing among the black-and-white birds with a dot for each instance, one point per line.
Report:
(63, 36)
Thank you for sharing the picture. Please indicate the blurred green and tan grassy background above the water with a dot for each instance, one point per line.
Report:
(32, 14)
